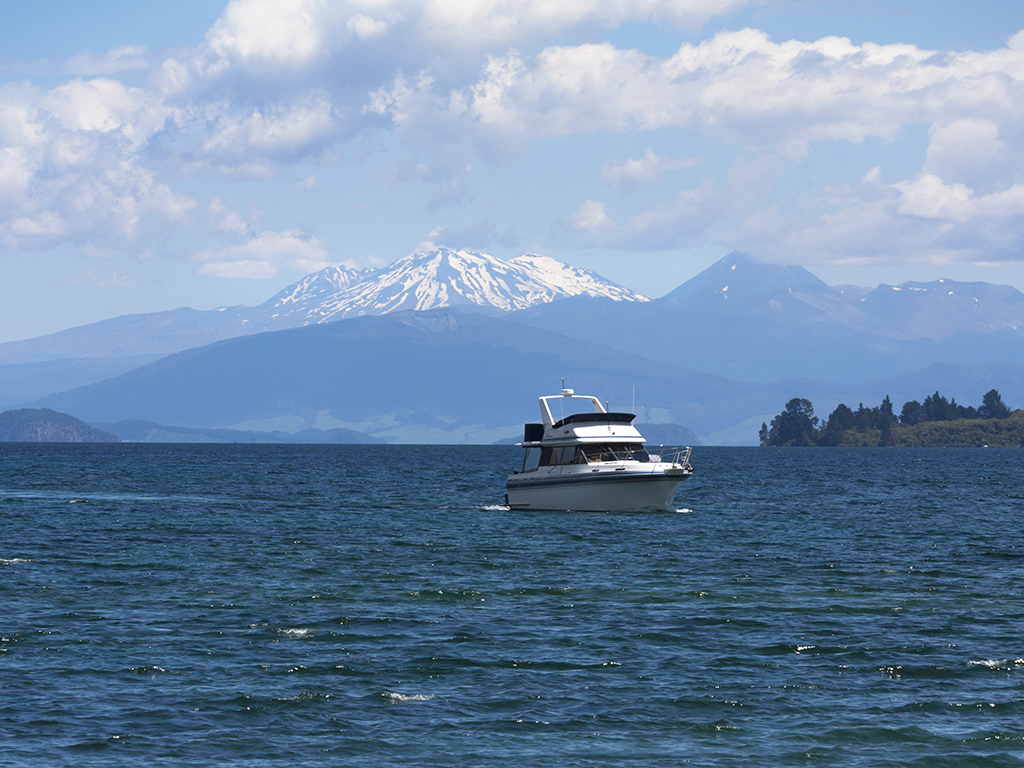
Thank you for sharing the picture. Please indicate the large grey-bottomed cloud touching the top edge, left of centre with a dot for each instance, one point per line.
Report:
(278, 79)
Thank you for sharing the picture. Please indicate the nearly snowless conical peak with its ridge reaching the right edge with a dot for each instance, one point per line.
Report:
(762, 323)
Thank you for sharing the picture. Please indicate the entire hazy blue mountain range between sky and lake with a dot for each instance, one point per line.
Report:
(718, 355)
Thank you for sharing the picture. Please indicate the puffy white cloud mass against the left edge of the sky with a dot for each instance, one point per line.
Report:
(71, 169)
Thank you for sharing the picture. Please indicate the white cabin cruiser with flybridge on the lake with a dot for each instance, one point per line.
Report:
(592, 461)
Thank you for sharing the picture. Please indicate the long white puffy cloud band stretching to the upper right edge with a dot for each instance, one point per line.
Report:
(745, 88)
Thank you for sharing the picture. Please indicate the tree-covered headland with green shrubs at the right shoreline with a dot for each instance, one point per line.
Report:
(936, 422)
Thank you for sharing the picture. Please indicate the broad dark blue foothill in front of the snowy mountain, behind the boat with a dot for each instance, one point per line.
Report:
(445, 376)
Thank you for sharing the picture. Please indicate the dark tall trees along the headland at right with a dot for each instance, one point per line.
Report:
(797, 425)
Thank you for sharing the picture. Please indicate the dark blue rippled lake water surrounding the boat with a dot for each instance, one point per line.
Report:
(241, 606)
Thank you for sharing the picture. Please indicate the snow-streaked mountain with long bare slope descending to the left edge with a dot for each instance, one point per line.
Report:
(442, 278)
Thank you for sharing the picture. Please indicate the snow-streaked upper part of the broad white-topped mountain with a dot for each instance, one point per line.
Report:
(439, 279)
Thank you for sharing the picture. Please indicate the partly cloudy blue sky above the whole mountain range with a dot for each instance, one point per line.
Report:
(207, 154)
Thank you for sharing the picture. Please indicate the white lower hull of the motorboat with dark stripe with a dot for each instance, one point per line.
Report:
(595, 492)
